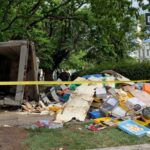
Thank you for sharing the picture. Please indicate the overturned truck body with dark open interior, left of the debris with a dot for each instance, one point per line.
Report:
(17, 63)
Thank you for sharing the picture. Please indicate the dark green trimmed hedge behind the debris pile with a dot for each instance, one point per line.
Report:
(132, 70)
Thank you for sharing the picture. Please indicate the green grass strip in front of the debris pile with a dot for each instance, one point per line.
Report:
(76, 137)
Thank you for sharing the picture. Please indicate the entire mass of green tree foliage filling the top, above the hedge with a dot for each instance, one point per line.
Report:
(103, 30)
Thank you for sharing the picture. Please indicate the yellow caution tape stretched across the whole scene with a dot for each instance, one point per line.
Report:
(65, 82)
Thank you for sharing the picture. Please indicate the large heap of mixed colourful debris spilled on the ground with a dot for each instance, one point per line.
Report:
(126, 105)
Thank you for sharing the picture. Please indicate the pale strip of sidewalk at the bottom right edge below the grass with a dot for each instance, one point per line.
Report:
(132, 147)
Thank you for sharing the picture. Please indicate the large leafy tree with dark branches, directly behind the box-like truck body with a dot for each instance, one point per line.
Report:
(51, 24)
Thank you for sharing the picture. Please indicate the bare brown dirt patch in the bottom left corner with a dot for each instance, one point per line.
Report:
(11, 138)
